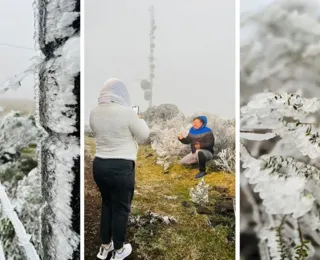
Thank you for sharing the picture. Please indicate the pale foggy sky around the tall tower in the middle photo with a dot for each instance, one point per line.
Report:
(195, 52)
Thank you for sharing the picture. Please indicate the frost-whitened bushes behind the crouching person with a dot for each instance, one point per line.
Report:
(167, 123)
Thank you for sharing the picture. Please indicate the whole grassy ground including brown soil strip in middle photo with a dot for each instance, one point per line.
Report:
(191, 238)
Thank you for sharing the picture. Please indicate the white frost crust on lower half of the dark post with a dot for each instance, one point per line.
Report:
(65, 151)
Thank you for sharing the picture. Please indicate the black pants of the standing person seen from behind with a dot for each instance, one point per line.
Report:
(116, 180)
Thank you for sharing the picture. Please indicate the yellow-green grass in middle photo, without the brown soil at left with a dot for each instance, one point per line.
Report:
(191, 237)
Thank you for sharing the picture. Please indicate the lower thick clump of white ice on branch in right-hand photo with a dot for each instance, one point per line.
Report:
(281, 183)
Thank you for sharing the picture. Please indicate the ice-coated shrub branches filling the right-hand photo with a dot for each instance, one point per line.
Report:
(280, 142)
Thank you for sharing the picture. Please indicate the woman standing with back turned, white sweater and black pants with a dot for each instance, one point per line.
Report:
(116, 127)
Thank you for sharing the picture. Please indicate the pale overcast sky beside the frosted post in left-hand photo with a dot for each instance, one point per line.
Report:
(16, 28)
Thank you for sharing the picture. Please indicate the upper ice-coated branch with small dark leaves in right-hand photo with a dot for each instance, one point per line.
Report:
(286, 116)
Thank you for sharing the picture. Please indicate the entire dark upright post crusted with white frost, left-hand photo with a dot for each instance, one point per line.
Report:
(58, 96)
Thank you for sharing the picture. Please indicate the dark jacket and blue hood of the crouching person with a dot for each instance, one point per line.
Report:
(203, 136)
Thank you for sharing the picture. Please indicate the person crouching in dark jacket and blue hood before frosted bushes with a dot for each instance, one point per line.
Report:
(201, 139)
